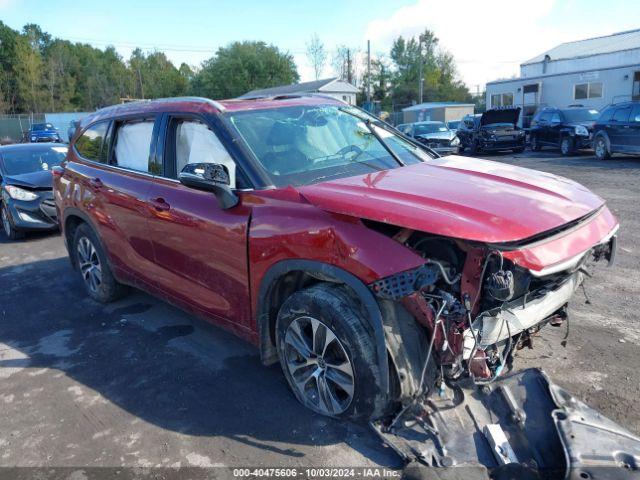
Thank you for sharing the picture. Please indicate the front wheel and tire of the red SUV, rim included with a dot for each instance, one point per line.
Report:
(344, 380)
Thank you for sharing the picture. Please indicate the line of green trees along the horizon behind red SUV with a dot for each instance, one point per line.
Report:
(39, 73)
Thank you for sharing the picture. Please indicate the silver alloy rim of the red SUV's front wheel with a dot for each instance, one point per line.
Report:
(318, 363)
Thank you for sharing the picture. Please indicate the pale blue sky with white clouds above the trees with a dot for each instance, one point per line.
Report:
(489, 39)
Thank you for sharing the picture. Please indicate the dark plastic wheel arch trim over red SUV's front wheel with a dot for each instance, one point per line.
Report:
(288, 276)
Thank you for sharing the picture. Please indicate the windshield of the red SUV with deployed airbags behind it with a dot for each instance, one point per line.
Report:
(307, 144)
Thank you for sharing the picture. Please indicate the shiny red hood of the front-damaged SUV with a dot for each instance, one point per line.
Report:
(459, 197)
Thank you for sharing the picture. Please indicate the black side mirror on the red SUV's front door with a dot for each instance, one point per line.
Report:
(211, 177)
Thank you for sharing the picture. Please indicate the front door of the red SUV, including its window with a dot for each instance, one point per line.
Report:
(200, 248)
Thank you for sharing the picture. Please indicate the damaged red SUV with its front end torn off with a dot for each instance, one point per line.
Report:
(341, 248)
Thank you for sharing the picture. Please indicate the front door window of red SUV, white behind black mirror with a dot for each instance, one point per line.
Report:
(196, 143)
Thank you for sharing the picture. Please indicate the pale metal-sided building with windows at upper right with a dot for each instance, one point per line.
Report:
(594, 72)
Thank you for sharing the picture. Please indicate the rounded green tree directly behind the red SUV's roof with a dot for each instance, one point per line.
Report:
(241, 67)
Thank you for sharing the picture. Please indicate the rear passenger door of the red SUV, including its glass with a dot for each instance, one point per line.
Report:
(115, 175)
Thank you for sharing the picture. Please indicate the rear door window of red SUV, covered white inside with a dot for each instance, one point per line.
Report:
(133, 145)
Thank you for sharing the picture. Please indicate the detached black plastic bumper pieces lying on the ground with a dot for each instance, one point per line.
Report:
(550, 433)
